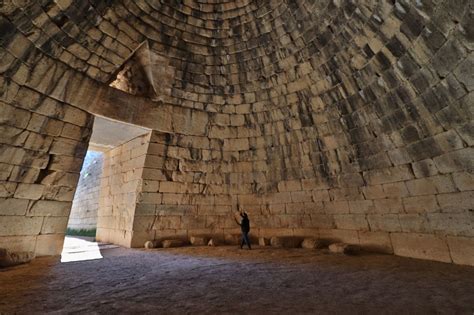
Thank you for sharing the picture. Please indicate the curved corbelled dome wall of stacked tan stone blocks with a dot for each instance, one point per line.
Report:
(346, 120)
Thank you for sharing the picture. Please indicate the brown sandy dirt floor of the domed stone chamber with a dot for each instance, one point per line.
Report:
(196, 280)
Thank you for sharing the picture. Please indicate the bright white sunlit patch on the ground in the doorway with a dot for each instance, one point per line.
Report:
(81, 249)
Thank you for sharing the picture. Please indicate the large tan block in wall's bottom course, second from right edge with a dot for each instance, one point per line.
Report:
(422, 246)
